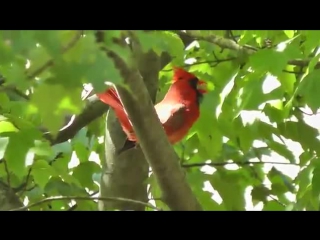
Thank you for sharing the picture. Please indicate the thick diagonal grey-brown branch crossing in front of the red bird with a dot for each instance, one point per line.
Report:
(162, 158)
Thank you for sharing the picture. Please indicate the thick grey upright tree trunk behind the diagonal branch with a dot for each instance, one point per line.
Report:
(125, 175)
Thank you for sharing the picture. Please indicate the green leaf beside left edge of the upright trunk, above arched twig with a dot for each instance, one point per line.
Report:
(84, 172)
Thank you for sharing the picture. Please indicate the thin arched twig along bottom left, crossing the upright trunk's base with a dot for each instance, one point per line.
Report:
(60, 198)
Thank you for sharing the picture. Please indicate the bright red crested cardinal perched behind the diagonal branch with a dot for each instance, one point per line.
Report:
(177, 112)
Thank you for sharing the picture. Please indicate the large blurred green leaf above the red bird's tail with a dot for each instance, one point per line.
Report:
(85, 62)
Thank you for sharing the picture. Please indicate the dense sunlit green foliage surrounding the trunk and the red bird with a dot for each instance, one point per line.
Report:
(253, 144)
